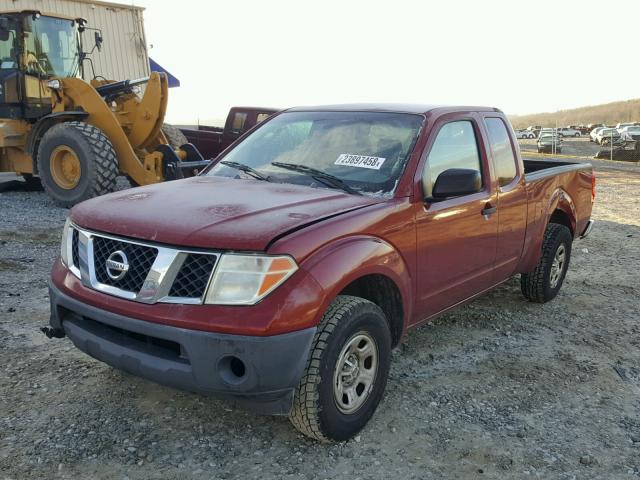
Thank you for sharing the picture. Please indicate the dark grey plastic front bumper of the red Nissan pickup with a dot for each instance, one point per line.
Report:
(259, 373)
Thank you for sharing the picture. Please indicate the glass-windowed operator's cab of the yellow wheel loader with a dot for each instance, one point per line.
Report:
(35, 48)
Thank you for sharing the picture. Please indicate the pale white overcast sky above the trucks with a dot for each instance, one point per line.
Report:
(520, 56)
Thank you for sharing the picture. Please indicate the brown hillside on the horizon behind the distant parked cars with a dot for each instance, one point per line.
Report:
(609, 114)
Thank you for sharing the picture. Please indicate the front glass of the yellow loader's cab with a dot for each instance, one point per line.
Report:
(51, 47)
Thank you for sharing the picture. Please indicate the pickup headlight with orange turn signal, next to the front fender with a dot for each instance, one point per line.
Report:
(247, 279)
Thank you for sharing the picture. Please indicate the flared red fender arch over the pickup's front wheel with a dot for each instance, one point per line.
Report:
(341, 262)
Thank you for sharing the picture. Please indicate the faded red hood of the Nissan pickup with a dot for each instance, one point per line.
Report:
(213, 212)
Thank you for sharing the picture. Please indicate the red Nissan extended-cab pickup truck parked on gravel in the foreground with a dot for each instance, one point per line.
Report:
(282, 276)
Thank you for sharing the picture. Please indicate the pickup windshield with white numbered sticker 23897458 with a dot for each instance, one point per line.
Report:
(367, 151)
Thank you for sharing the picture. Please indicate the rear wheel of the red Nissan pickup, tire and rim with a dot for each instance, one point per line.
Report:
(543, 284)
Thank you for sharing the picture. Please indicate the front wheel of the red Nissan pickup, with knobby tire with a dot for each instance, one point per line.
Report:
(346, 372)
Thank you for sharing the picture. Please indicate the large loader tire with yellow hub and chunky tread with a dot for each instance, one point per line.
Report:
(76, 161)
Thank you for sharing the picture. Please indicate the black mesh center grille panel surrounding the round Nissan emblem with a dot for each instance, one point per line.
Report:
(141, 258)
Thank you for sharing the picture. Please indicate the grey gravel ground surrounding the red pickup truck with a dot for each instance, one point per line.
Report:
(500, 388)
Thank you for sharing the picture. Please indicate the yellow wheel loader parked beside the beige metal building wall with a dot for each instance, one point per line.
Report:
(75, 137)
